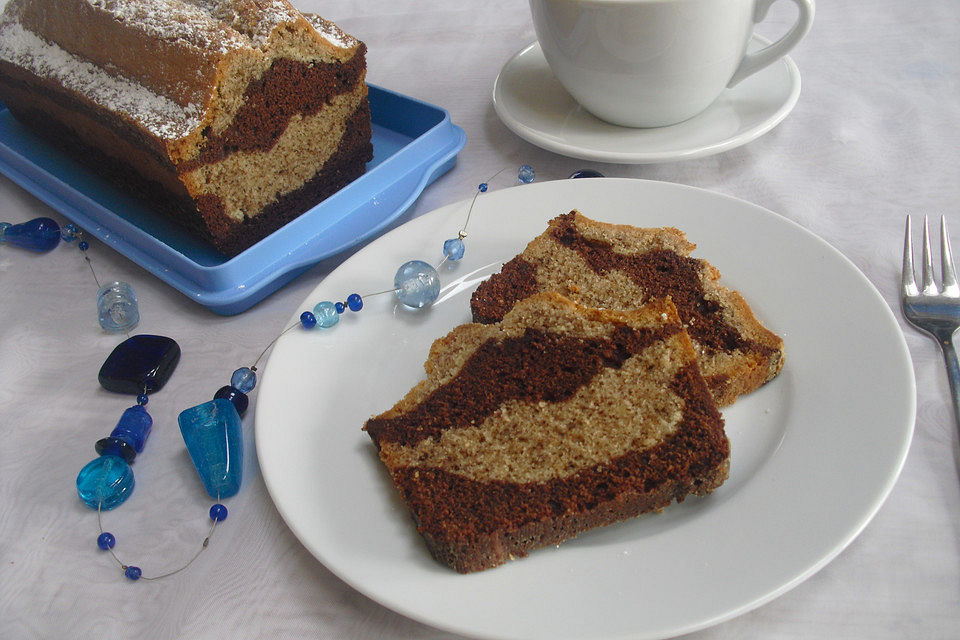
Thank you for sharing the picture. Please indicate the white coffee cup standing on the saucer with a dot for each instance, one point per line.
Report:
(653, 63)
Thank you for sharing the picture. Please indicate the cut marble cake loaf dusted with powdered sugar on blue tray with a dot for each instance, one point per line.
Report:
(231, 116)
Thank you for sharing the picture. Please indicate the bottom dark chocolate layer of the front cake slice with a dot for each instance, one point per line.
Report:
(513, 518)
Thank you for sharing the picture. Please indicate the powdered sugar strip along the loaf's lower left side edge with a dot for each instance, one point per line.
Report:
(159, 115)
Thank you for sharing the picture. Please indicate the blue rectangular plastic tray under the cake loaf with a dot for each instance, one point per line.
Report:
(413, 144)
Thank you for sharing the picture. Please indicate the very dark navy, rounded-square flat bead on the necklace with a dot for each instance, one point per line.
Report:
(140, 363)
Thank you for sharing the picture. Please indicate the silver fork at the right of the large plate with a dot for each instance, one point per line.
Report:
(931, 308)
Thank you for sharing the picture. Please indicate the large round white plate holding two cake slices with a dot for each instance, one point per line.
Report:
(815, 452)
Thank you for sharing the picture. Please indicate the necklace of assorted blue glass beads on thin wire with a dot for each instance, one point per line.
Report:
(142, 364)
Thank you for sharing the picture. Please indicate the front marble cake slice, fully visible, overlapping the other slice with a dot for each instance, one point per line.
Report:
(555, 420)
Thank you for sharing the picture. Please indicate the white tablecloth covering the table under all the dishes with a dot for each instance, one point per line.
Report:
(873, 137)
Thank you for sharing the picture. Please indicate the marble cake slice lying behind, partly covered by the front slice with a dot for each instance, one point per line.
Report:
(620, 267)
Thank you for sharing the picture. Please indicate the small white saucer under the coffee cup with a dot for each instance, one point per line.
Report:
(532, 103)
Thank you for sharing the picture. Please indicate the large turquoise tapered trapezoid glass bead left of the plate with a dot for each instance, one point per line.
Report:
(212, 433)
